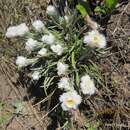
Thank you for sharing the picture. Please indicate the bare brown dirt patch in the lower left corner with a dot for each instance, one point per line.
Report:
(30, 117)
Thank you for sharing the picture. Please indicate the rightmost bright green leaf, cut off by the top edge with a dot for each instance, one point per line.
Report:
(110, 4)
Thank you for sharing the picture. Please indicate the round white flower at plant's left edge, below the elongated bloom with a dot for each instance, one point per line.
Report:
(21, 61)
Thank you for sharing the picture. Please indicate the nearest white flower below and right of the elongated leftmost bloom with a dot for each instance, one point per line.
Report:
(30, 44)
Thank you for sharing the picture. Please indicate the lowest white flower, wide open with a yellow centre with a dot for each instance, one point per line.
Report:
(70, 100)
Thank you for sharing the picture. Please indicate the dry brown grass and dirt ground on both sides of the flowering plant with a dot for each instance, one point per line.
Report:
(109, 109)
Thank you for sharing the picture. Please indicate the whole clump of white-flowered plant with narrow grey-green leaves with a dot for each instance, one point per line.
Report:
(57, 53)
